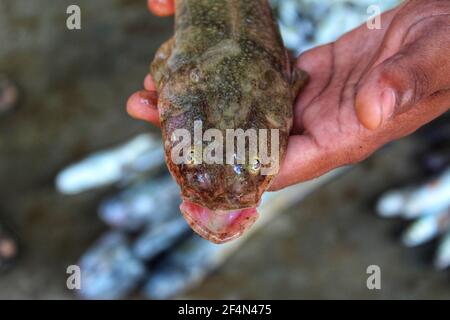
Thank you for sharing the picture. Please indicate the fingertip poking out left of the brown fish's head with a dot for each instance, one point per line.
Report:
(142, 105)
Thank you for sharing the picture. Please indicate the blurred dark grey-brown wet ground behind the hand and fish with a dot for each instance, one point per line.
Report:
(74, 85)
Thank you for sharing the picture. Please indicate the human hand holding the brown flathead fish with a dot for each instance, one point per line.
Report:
(368, 88)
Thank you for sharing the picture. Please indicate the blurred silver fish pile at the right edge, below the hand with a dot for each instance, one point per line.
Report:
(428, 204)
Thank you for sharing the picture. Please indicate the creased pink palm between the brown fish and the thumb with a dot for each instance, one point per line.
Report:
(325, 123)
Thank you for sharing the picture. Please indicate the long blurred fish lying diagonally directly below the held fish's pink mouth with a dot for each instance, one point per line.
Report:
(190, 261)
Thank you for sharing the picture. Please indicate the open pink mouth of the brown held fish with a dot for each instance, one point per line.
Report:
(218, 226)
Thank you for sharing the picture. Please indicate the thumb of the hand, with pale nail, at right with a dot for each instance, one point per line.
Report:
(409, 77)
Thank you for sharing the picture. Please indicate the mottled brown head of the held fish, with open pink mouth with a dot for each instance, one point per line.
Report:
(202, 102)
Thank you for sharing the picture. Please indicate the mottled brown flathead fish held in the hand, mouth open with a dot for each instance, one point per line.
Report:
(226, 68)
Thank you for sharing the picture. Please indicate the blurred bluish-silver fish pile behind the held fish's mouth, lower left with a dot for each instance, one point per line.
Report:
(150, 246)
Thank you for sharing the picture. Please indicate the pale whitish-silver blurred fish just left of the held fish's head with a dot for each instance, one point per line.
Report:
(142, 154)
